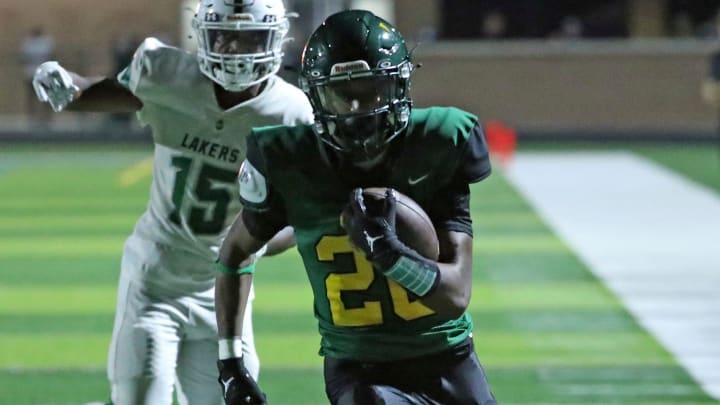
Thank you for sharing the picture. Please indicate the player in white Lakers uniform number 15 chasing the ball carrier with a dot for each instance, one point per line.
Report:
(200, 107)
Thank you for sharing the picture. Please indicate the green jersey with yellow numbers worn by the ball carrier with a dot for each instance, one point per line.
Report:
(288, 179)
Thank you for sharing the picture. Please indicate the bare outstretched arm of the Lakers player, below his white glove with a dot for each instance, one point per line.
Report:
(102, 94)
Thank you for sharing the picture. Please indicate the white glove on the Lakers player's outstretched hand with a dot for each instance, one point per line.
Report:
(53, 84)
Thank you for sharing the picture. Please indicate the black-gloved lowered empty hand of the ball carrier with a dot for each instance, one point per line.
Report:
(237, 385)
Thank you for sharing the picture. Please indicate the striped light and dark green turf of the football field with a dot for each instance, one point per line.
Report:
(547, 331)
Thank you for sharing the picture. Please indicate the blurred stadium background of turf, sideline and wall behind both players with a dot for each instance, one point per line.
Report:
(560, 81)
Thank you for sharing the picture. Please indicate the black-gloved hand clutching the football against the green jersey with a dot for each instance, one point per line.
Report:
(373, 232)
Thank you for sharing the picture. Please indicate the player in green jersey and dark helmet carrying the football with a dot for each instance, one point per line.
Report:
(393, 324)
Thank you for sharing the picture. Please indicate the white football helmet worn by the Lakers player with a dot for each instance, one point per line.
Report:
(240, 41)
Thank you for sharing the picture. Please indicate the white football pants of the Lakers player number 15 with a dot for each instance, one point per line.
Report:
(165, 338)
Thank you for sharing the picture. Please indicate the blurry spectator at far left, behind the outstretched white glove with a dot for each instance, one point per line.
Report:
(36, 48)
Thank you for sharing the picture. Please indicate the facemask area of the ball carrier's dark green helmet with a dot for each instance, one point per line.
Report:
(359, 112)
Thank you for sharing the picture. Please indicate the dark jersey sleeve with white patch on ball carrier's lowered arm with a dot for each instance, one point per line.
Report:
(263, 208)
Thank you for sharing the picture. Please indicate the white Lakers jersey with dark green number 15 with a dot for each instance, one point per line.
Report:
(198, 147)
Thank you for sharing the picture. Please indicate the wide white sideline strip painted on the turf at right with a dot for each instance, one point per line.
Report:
(650, 234)
